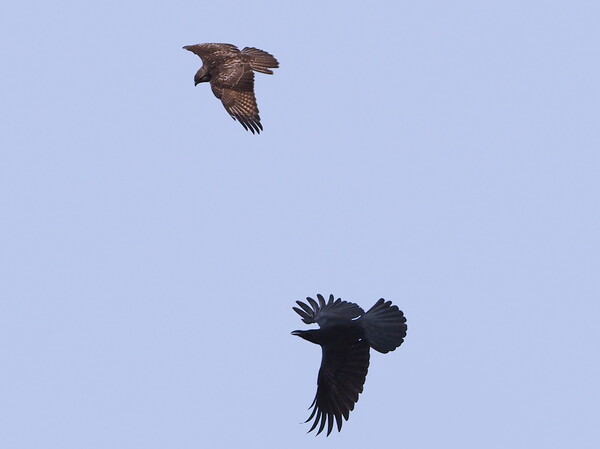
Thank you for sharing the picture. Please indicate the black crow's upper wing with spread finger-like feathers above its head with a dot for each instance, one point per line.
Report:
(324, 313)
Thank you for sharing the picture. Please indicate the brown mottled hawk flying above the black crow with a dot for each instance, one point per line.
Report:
(231, 76)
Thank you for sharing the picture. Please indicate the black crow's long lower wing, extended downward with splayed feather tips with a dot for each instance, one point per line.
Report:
(341, 379)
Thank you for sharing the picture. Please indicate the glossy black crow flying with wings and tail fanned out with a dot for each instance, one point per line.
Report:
(345, 334)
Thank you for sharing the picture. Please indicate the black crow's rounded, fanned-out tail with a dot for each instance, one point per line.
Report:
(385, 326)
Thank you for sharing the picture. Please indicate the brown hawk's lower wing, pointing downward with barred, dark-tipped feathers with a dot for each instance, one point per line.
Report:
(233, 83)
